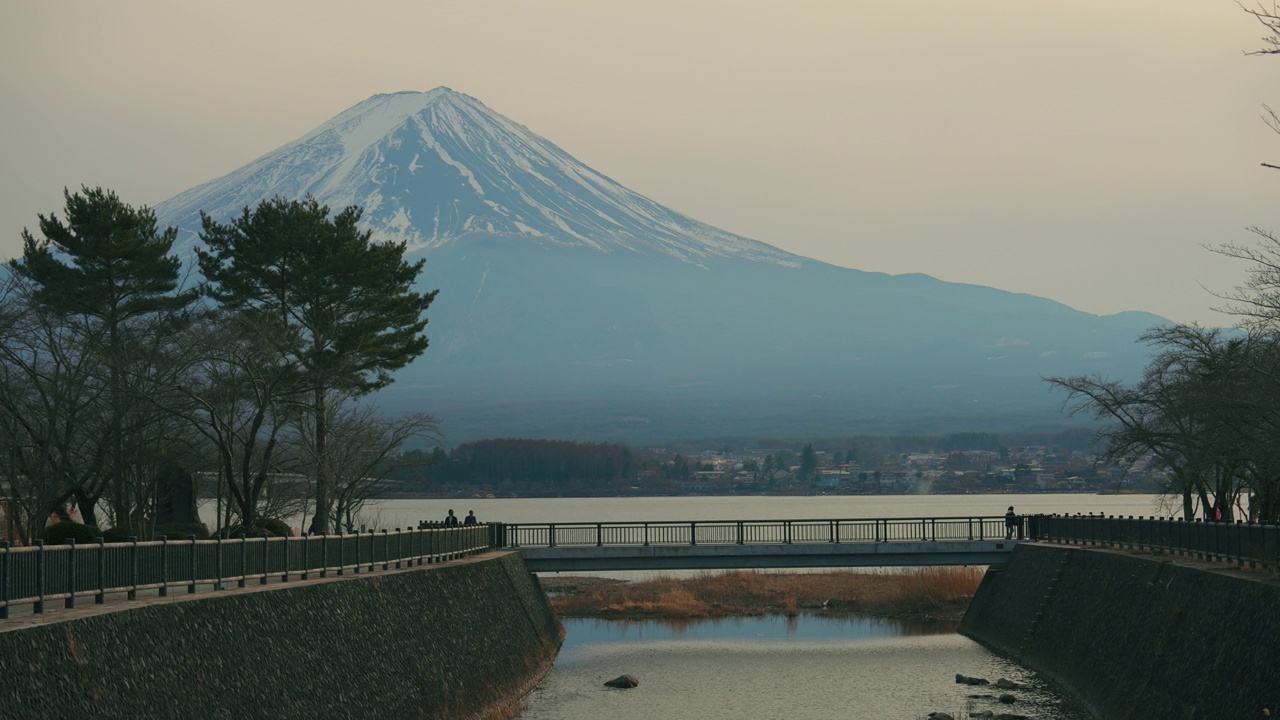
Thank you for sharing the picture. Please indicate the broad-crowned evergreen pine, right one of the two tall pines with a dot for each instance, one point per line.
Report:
(348, 302)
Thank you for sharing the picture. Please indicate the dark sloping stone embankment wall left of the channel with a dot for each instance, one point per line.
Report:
(455, 641)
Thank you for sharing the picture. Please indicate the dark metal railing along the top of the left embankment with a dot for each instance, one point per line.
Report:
(66, 572)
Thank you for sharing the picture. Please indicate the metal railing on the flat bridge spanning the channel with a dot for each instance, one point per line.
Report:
(755, 532)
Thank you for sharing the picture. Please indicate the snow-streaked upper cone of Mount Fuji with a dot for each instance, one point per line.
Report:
(433, 167)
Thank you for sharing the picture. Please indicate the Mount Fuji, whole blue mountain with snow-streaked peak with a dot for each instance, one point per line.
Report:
(572, 307)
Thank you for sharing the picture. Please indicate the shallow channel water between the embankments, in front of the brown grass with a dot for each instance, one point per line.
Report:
(780, 668)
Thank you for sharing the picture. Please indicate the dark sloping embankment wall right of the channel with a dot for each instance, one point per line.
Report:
(1133, 636)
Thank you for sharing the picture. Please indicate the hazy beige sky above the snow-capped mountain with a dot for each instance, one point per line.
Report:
(1084, 152)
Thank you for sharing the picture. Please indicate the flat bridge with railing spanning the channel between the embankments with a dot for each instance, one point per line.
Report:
(552, 548)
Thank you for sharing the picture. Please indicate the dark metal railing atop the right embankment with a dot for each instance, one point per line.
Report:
(1227, 543)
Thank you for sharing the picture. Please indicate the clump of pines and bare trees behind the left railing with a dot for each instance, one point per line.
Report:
(116, 372)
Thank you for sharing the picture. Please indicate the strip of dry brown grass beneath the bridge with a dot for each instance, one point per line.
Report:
(921, 593)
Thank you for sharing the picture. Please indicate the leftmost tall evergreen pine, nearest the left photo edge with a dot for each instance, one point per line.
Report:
(109, 266)
